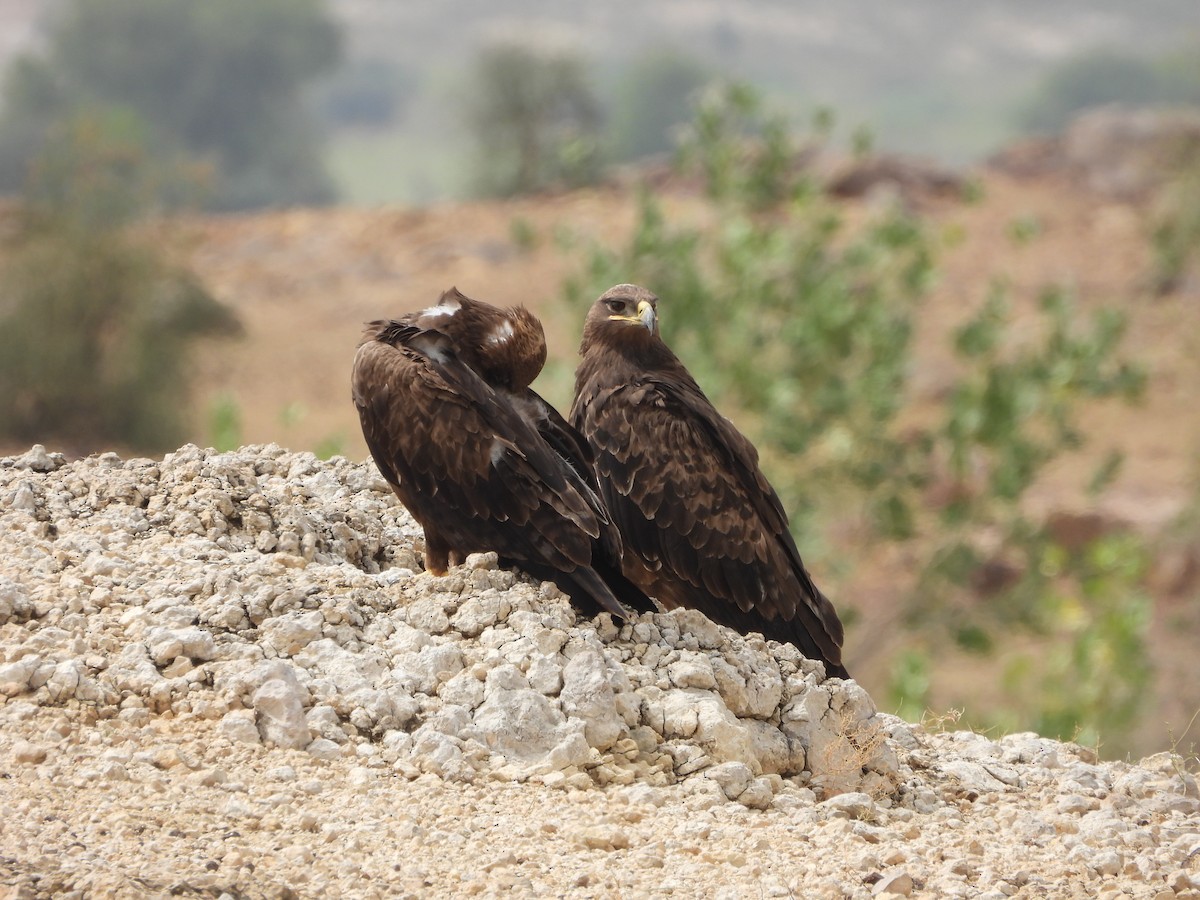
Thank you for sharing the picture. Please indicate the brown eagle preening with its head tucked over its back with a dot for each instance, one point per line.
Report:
(477, 457)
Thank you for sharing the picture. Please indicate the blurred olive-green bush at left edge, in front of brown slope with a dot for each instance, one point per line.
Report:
(95, 321)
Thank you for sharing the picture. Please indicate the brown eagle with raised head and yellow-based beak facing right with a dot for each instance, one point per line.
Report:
(701, 525)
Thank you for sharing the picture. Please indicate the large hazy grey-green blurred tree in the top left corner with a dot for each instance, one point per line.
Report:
(218, 82)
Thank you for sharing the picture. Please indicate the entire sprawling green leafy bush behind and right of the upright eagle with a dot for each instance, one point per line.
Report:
(800, 325)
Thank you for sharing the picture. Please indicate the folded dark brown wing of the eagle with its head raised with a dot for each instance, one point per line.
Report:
(685, 488)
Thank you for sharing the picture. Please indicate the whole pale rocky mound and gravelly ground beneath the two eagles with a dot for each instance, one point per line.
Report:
(244, 644)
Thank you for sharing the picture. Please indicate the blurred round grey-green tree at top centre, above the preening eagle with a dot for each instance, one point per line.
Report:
(536, 121)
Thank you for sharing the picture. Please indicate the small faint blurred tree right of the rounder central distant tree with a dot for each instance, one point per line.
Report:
(653, 98)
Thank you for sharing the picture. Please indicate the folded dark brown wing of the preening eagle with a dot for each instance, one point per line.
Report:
(460, 457)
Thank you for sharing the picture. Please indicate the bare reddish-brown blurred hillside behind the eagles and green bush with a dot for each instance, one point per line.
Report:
(305, 281)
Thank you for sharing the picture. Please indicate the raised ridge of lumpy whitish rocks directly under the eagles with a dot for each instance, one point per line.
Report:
(268, 589)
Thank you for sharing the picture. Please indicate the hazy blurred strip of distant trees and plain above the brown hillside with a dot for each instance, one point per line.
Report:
(422, 107)
